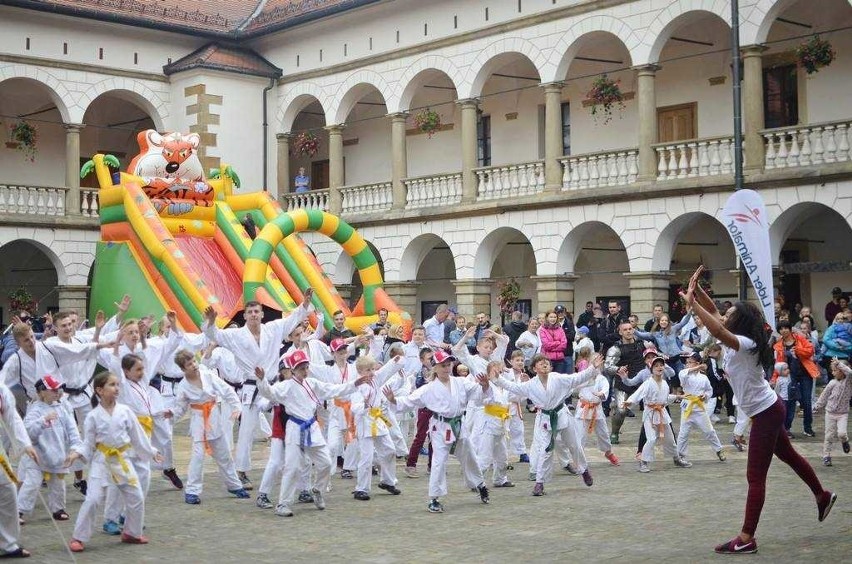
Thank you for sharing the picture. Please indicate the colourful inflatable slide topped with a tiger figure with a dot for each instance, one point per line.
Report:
(175, 240)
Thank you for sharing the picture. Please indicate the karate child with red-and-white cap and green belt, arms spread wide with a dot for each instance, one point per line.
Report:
(446, 397)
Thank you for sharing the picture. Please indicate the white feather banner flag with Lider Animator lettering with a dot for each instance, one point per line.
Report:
(745, 219)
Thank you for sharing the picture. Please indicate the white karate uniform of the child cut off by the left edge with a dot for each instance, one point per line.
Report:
(12, 434)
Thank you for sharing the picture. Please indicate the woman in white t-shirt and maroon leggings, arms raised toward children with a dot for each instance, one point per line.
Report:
(746, 340)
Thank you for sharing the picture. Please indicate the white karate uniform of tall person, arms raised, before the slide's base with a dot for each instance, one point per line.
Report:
(249, 353)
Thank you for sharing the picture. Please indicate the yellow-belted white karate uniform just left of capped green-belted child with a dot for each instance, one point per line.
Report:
(373, 430)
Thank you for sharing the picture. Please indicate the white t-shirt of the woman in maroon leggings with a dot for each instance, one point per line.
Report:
(754, 394)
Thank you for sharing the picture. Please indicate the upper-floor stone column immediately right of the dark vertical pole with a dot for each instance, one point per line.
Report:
(753, 119)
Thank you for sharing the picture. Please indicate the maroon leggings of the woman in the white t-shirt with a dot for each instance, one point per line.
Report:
(769, 437)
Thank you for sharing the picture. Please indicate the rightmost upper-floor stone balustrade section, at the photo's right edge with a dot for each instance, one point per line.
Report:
(807, 145)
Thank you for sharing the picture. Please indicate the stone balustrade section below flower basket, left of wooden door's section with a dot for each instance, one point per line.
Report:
(593, 170)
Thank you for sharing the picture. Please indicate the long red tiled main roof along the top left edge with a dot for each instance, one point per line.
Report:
(234, 18)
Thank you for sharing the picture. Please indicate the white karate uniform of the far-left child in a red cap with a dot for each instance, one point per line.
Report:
(51, 439)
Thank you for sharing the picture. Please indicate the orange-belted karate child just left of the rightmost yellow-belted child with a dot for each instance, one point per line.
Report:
(656, 420)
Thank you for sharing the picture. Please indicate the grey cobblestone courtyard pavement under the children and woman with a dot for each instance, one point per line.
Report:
(670, 514)
